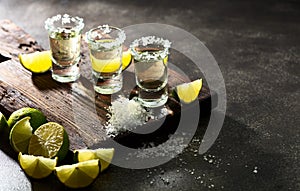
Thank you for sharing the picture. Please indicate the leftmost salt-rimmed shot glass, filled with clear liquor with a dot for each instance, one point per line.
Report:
(65, 37)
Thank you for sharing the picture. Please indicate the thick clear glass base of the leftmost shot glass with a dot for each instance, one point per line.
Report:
(65, 74)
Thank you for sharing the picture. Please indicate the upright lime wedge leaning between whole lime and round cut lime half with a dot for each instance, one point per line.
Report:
(20, 135)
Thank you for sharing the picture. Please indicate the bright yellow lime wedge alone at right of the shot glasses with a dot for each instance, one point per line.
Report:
(188, 92)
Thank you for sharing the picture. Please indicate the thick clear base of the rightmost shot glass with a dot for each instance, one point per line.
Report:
(153, 99)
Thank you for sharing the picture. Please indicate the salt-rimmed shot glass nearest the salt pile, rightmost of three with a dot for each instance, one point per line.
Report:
(151, 69)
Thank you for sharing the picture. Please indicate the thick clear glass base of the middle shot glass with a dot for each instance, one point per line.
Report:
(108, 85)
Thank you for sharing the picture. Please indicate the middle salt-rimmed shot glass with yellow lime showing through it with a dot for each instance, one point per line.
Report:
(105, 46)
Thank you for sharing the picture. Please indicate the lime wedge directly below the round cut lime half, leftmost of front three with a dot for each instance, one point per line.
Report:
(37, 166)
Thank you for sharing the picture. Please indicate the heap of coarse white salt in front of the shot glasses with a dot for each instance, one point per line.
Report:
(126, 115)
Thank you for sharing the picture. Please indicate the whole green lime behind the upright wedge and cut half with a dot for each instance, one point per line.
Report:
(37, 117)
